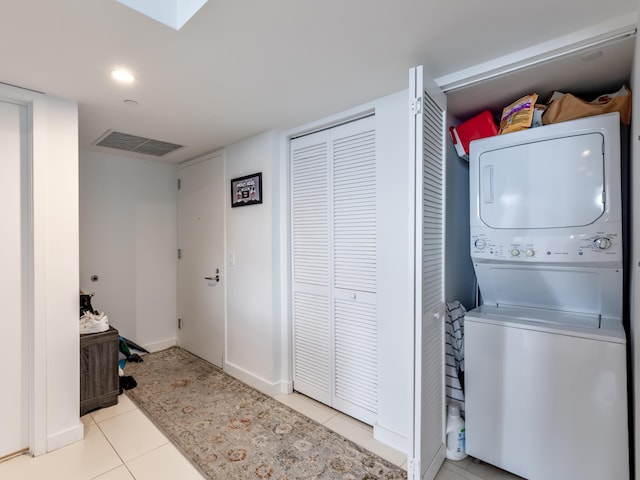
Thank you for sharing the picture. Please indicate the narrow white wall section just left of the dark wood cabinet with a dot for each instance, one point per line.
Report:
(55, 173)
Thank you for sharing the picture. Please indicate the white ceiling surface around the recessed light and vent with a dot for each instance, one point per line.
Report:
(241, 67)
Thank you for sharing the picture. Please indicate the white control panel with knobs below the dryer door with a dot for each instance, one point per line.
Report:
(586, 247)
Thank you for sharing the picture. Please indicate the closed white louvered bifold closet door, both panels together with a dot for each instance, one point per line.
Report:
(334, 255)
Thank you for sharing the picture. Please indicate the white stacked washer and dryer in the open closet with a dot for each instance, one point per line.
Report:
(546, 379)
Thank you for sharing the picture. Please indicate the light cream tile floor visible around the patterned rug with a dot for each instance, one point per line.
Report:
(121, 443)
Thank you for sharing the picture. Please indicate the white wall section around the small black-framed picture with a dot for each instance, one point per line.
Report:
(253, 312)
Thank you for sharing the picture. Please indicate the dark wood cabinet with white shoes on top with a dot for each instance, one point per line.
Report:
(99, 380)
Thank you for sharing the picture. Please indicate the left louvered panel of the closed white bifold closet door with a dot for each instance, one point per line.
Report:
(311, 303)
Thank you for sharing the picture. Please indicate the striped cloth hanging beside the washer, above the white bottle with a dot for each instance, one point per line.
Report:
(454, 352)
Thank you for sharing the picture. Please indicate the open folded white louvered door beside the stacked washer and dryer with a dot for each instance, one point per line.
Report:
(427, 121)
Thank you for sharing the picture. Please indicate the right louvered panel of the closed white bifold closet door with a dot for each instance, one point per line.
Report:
(354, 262)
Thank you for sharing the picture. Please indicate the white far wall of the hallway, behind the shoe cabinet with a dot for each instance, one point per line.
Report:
(128, 237)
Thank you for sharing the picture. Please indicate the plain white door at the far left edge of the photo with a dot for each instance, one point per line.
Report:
(14, 399)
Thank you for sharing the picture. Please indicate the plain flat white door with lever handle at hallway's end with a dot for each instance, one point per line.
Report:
(200, 267)
